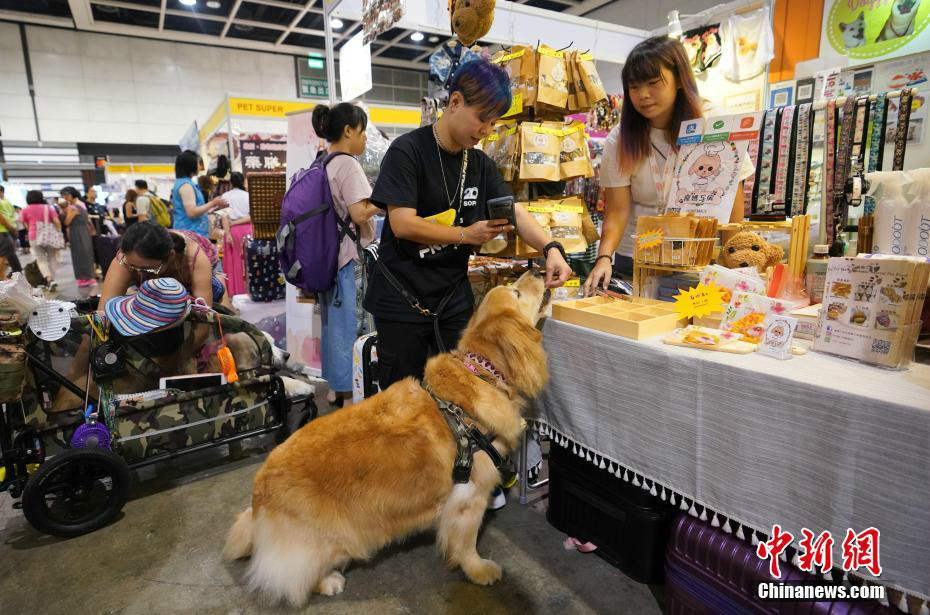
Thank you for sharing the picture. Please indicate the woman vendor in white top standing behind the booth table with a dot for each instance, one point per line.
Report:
(659, 94)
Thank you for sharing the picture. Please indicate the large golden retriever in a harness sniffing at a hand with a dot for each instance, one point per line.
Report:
(351, 482)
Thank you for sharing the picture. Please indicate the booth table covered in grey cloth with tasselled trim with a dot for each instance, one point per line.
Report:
(815, 441)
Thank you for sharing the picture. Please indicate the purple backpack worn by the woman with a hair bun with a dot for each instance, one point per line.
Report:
(311, 230)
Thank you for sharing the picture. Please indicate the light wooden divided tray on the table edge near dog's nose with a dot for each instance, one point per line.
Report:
(636, 318)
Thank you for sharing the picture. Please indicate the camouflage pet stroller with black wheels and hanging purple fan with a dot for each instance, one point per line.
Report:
(72, 472)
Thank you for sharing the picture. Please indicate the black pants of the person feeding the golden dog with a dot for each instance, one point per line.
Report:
(404, 347)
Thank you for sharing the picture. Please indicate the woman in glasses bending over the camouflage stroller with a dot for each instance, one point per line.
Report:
(148, 250)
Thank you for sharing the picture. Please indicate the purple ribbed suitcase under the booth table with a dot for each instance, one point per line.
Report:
(710, 571)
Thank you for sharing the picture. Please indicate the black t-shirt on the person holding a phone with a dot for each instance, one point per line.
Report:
(410, 177)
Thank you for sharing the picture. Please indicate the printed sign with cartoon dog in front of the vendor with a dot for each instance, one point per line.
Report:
(707, 168)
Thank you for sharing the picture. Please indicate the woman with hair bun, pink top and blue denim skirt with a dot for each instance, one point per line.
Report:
(343, 126)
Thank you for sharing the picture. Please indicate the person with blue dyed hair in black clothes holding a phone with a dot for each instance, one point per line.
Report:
(426, 172)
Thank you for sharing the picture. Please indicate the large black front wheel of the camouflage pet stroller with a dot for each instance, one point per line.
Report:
(76, 492)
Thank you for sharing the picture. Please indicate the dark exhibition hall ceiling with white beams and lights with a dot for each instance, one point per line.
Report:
(287, 26)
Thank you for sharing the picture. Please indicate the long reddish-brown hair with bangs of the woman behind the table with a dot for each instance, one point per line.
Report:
(645, 63)
